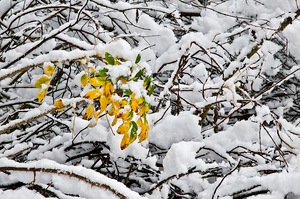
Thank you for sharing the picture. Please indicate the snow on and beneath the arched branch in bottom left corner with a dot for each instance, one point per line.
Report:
(59, 180)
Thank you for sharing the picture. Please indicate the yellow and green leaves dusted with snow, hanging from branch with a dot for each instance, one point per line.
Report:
(110, 95)
